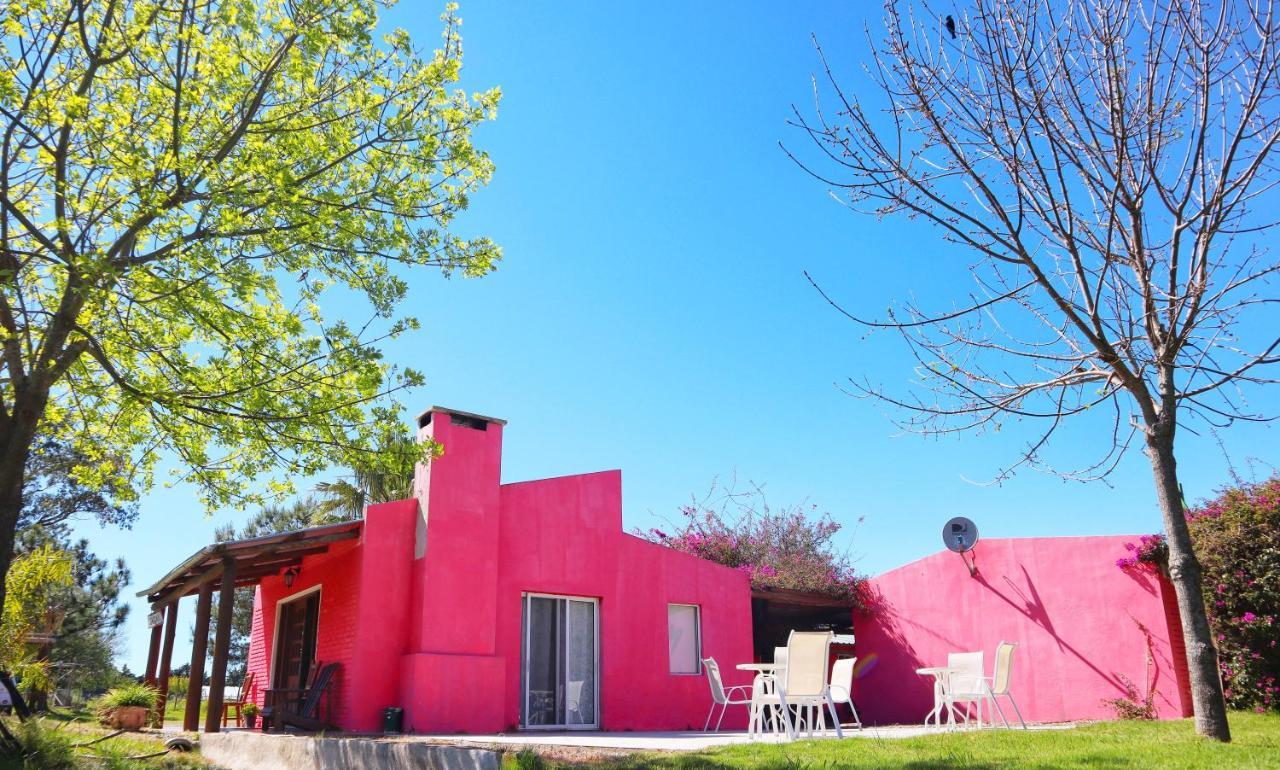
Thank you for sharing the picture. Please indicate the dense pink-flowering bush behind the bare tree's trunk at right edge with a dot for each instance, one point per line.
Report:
(1237, 540)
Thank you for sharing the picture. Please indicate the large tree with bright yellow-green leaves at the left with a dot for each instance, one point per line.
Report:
(182, 186)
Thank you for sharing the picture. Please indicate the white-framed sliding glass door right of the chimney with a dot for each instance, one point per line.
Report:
(560, 667)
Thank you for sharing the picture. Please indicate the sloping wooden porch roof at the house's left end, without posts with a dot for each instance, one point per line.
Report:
(255, 558)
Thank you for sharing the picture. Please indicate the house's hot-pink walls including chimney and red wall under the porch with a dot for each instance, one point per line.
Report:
(440, 635)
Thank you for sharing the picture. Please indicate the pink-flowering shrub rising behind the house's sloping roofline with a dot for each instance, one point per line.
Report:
(789, 548)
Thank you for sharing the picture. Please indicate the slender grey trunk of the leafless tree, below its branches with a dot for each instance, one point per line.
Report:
(1185, 572)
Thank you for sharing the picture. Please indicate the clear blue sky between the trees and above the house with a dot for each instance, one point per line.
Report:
(652, 314)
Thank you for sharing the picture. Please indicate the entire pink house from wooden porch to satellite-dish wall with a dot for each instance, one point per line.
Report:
(483, 607)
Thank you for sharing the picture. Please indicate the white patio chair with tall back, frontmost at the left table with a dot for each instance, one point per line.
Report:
(804, 686)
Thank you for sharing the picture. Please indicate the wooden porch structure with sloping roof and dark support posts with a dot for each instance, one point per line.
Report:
(222, 567)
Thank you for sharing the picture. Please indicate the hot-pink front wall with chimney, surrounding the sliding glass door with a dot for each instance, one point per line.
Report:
(488, 544)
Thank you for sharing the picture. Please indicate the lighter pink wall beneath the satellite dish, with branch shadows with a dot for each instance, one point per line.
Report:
(1080, 622)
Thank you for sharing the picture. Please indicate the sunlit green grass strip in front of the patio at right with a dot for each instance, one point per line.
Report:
(1256, 744)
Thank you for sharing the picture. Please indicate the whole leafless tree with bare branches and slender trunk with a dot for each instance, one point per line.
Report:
(1110, 167)
